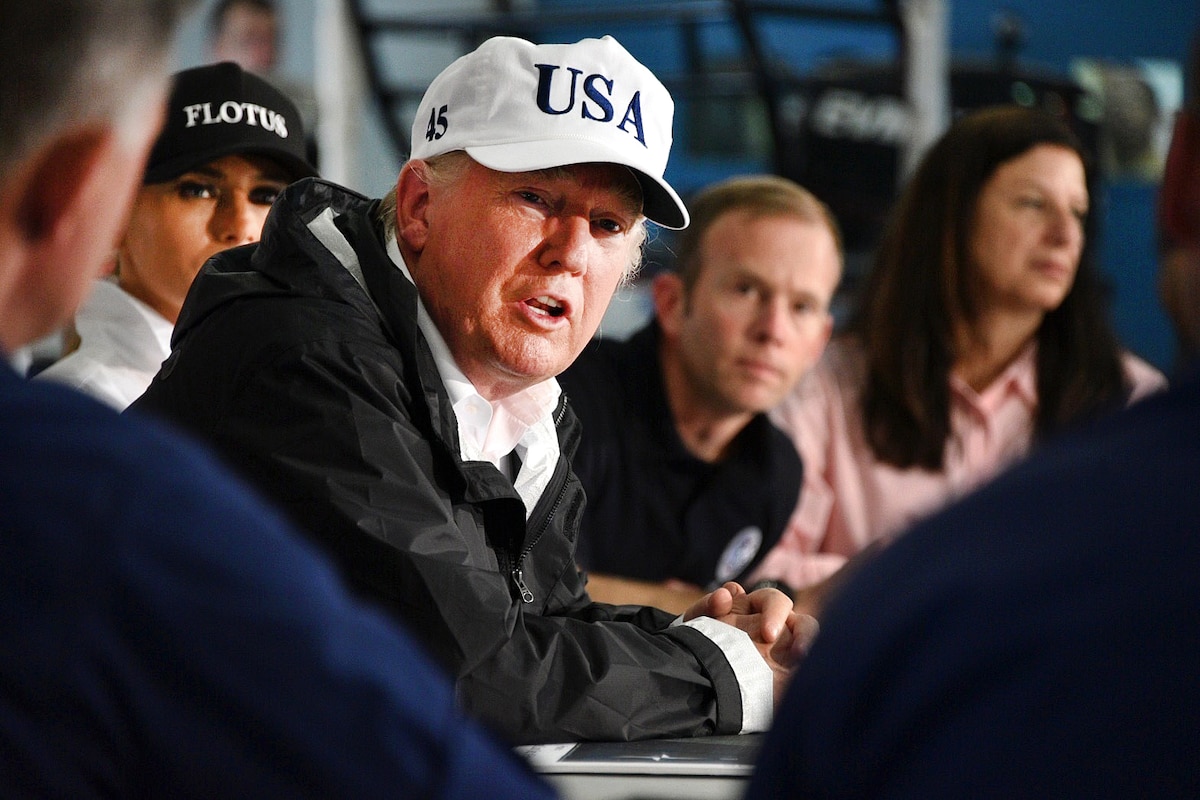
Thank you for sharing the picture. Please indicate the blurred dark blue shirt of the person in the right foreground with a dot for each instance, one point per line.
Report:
(1039, 640)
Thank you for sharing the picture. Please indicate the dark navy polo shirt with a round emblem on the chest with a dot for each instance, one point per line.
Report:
(655, 512)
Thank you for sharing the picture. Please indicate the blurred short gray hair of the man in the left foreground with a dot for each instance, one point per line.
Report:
(65, 64)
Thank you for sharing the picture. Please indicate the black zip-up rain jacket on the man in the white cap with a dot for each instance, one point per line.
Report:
(301, 360)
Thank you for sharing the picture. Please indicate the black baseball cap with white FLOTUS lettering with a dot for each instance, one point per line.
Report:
(219, 111)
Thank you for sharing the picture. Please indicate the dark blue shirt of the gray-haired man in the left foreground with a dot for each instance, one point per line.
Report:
(163, 635)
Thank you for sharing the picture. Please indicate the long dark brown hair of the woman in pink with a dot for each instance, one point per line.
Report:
(920, 288)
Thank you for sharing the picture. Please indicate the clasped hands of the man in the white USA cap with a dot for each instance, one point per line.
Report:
(767, 616)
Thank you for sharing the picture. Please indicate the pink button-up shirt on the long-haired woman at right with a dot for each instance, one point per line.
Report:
(849, 500)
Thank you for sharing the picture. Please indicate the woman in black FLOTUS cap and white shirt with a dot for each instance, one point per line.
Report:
(230, 145)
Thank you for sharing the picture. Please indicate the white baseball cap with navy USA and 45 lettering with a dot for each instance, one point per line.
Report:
(517, 107)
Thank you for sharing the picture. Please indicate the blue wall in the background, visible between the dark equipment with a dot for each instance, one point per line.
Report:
(1057, 33)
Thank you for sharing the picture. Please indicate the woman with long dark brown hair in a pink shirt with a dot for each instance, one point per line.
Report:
(981, 330)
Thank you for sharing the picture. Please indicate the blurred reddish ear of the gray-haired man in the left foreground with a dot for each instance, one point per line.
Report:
(51, 191)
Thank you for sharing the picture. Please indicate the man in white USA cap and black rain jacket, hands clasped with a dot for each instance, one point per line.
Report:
(385, 371)
